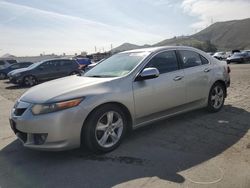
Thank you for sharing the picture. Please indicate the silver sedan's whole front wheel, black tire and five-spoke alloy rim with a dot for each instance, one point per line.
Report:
(102, 135)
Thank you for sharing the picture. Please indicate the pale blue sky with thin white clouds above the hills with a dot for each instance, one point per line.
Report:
(32, 27)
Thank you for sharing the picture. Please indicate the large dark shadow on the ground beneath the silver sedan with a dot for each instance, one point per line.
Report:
(162, 149)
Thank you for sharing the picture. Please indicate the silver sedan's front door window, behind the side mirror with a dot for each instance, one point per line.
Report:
(164, 62)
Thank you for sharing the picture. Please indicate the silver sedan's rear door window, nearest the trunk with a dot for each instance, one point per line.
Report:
(190, 58)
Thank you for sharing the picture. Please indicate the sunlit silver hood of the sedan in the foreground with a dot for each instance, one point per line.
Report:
(66, 88)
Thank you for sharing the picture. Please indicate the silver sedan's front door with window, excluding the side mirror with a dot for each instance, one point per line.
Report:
(157, 95)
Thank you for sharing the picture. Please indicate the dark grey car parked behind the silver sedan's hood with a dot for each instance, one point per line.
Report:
(43, 71)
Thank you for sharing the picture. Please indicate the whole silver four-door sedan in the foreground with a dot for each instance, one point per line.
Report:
(126, 91)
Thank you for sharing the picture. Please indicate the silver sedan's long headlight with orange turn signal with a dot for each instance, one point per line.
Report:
(53, 107)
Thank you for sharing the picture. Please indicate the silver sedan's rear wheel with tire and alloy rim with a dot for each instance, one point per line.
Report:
(216, 97)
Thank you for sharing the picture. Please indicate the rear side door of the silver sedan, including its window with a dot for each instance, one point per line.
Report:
(197, 72)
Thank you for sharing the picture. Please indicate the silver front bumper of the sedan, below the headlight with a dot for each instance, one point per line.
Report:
(53, 131)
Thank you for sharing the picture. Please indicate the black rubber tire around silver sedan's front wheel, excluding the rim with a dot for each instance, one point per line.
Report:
(88, 130)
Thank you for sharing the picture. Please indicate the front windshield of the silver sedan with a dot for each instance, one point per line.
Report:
(117, 65)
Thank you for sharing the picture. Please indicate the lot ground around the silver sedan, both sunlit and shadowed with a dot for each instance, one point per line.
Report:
(196, 149)
